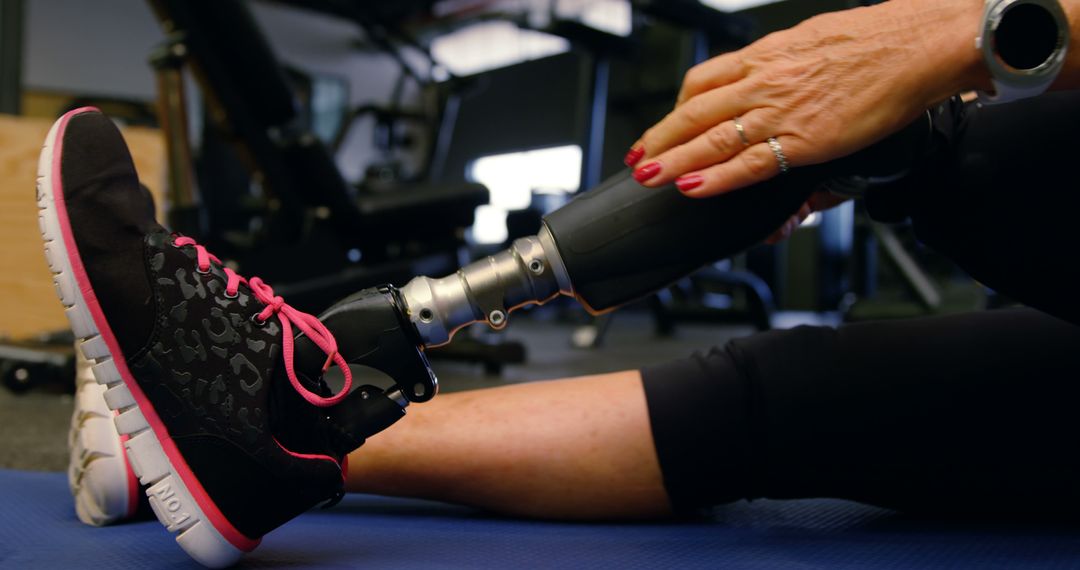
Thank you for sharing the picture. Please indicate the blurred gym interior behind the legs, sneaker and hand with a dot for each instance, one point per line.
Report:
(334, 145)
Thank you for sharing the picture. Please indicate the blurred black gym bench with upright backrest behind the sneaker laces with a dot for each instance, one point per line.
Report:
(313, 222)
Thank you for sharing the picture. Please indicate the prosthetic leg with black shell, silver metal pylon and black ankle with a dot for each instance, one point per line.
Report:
(609, 247)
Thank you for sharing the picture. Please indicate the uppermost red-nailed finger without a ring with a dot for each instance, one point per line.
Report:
(694, 118)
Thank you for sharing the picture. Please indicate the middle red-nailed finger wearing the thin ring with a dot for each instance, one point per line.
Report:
(714, 146)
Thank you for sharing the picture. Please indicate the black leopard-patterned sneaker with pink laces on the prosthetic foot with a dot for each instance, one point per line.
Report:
(198, 361)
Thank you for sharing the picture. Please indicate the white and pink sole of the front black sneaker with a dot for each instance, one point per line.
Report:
(171, 482)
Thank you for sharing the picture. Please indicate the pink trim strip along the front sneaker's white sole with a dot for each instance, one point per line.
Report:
(199, 494)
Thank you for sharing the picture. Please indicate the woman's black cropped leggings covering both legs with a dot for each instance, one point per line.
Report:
(977, 413)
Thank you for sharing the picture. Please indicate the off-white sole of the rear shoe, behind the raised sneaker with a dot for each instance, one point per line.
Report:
(104, 487)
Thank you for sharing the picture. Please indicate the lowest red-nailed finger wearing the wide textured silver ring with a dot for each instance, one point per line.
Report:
(754, 165)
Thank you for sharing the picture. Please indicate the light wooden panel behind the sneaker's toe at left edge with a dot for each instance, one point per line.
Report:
(29, 305)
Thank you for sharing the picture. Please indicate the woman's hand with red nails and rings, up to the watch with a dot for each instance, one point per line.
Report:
(822, 90)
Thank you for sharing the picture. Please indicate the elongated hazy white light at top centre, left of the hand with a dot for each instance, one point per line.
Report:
(493, 45)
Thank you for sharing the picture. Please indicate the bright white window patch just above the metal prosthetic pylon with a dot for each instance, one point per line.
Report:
(514, 179)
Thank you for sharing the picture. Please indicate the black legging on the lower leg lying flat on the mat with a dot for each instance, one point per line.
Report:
(966, 413)
